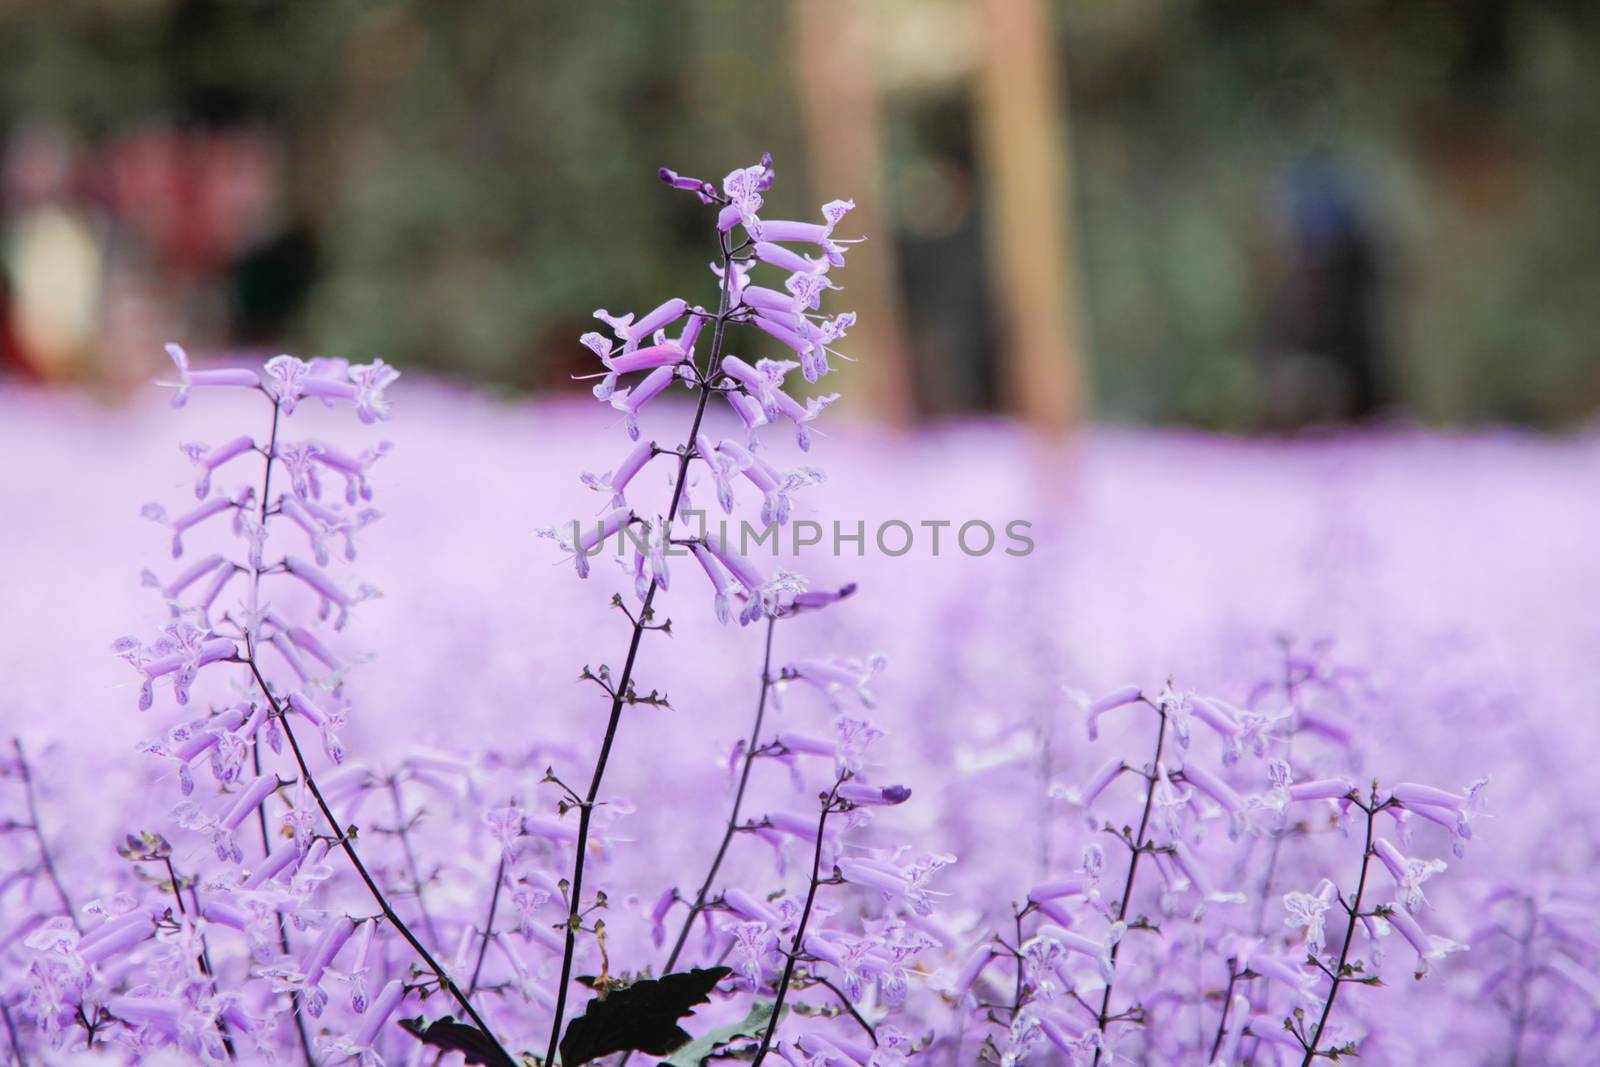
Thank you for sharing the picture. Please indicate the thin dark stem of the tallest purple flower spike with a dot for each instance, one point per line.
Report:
(620, 695)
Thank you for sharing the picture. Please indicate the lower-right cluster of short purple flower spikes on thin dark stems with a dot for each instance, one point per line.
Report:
(1244, 933)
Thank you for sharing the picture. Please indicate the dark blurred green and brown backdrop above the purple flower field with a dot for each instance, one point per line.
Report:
(1215, 212)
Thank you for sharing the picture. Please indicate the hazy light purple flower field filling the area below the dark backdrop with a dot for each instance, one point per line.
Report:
(1351, 609)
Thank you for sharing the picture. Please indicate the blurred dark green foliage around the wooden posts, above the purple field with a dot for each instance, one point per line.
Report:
(478, 175)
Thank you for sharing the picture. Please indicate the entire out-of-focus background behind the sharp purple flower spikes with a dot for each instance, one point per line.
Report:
(1313, 284)
